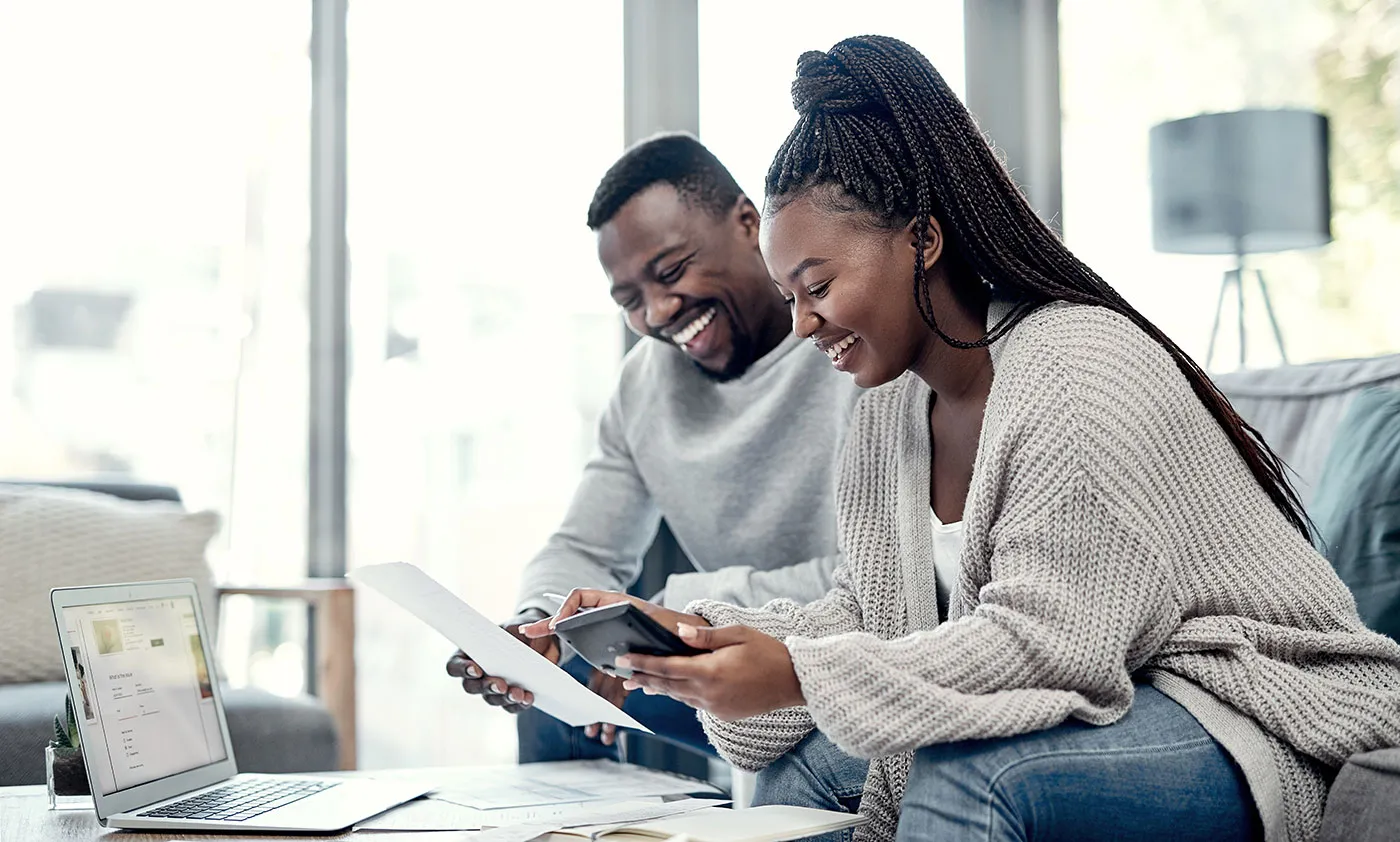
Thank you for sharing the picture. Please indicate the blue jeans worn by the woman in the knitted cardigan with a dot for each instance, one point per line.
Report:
(1153, 775)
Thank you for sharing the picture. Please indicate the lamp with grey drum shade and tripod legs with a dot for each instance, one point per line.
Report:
(1240, 184)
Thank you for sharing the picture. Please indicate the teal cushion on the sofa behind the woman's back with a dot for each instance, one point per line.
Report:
(1357, 508)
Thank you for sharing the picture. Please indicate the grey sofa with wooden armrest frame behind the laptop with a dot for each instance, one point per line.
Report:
(269, 733)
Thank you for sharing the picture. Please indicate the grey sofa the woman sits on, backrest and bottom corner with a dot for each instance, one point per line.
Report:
(1297, 410)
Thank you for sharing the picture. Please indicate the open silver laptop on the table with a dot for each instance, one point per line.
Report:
(152, 722)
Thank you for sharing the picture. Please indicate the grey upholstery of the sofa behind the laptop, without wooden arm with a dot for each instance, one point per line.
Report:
(269, 733)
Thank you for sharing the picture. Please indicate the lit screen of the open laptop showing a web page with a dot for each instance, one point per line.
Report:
(148, 705)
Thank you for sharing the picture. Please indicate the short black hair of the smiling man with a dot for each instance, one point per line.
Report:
(675, 159)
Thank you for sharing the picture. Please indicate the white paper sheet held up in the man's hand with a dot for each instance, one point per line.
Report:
(498, 652)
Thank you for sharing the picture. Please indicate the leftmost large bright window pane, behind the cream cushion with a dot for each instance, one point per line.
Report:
(153, 239)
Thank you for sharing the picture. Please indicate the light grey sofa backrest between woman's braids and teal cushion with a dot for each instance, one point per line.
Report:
(1297, 408)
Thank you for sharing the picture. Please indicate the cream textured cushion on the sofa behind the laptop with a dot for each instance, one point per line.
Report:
(52, 537)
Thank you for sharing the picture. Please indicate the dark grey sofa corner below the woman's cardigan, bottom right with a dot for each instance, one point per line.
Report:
(1364, 802)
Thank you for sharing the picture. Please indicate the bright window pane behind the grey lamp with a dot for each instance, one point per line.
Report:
(1128, 67)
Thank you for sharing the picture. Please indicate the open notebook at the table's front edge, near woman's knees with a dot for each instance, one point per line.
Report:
(773, 823)
